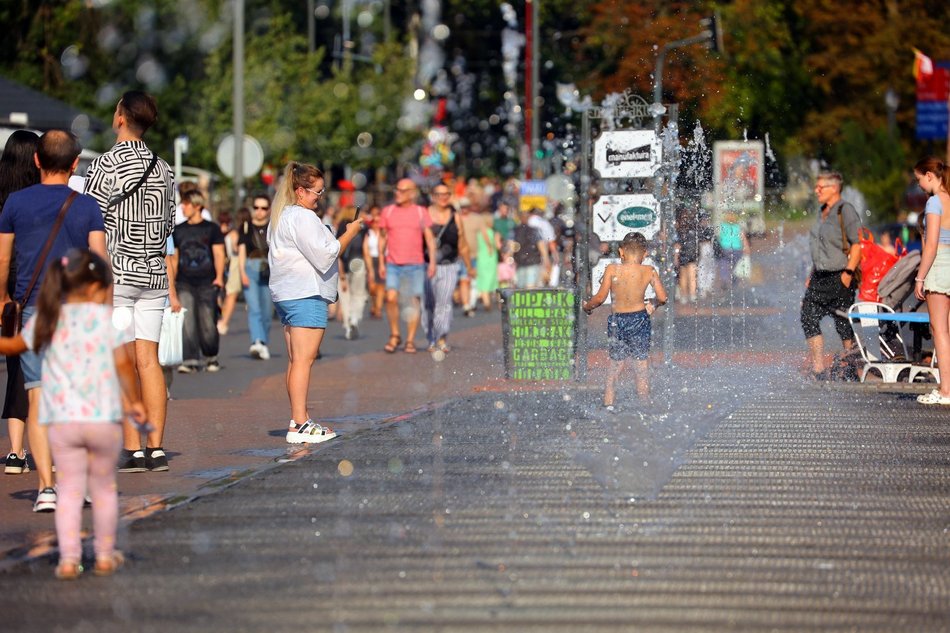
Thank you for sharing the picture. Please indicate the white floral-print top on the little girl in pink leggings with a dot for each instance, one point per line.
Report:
(80, 383)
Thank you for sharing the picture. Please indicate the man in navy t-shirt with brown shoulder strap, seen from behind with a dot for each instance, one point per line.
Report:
(25, 224)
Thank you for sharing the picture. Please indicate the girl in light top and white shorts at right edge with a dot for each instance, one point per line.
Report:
(933, 276)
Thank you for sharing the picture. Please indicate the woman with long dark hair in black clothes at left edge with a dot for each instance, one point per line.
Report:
(17, 171)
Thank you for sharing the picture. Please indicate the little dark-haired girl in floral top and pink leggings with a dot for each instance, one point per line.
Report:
(87, 376)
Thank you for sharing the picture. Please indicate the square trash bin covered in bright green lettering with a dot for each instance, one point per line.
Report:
(539, 333)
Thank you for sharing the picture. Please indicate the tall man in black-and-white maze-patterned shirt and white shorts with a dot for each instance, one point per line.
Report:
(136, 192)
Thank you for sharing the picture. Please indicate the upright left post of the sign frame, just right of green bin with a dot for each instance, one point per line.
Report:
(582, 252)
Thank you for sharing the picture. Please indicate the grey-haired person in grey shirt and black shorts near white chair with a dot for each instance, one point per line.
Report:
(835, 254)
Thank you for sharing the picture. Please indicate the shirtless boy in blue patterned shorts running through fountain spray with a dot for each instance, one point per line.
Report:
(628, 328)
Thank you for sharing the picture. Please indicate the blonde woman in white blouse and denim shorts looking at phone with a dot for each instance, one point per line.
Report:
(302, 254)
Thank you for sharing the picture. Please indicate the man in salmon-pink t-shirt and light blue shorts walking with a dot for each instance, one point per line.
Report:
(404, 229)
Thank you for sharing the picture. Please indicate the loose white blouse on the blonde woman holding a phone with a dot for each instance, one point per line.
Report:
(302, 255)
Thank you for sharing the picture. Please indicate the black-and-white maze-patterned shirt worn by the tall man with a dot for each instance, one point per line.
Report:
(138, 227)
